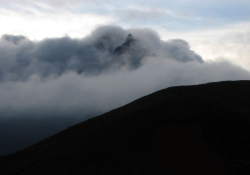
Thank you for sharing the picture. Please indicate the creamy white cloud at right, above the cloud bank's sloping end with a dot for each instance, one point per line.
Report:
(230, 42)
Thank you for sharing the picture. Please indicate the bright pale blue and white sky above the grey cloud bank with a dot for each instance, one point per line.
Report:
(215, 29)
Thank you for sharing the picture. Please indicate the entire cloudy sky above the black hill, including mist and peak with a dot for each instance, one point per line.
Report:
(62, 62)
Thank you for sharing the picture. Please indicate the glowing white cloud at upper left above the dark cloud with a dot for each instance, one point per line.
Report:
(36, 24)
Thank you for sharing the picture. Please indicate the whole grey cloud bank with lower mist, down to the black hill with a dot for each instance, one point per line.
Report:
(58, 82)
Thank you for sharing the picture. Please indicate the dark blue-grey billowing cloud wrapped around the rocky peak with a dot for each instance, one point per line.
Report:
(92, 55)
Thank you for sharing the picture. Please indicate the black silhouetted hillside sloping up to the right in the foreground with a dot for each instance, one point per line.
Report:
(203, 129)
